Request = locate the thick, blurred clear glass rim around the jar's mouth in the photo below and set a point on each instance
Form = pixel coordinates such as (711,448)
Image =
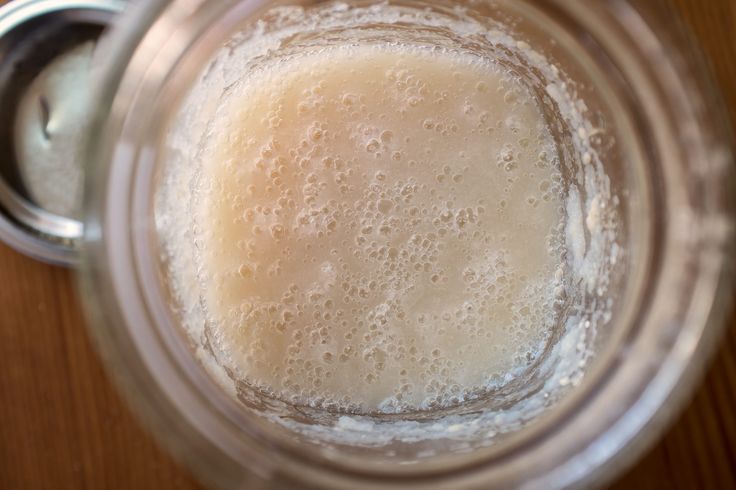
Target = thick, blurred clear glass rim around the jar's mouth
(666,315)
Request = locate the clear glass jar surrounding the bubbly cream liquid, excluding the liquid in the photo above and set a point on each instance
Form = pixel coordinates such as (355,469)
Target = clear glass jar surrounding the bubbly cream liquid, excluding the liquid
(630,102)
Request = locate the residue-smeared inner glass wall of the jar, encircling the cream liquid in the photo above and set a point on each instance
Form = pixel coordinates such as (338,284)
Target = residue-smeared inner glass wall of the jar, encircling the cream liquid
(607,218)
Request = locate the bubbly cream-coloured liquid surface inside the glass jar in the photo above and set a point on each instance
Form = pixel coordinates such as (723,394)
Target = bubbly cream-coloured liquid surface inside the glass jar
(379,229)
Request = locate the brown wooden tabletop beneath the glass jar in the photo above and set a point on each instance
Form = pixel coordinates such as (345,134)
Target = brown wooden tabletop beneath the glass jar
(63,426)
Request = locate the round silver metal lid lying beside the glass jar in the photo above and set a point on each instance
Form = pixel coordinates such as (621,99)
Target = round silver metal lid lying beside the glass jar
(33,34)
